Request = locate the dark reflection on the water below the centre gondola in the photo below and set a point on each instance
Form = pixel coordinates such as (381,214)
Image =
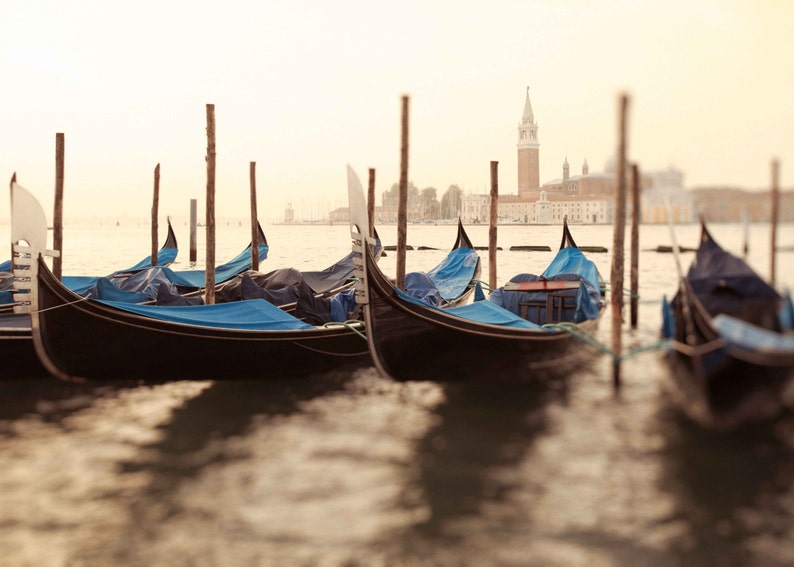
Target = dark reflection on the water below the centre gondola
(466,463)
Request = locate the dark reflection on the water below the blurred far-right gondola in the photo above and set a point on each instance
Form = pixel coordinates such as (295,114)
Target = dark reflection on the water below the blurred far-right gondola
(733,492)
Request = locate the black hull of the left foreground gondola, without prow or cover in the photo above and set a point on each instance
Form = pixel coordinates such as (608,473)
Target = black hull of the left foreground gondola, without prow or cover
(86,339)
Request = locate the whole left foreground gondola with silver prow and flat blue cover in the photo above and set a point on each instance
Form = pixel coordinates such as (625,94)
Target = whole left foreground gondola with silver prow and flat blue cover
(78,338)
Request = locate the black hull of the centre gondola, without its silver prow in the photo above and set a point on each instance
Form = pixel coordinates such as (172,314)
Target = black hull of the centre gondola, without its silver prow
(413,342)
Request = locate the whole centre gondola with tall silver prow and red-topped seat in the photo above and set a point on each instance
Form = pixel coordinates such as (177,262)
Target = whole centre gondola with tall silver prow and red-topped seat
(479,341)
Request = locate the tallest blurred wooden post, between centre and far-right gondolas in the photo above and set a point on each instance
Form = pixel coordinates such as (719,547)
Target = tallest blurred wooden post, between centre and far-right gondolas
(616,279)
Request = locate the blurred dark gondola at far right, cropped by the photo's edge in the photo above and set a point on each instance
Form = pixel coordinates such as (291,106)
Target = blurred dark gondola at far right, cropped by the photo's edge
(730,360)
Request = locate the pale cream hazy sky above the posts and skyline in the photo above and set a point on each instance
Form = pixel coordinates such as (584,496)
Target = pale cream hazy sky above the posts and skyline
(304,87)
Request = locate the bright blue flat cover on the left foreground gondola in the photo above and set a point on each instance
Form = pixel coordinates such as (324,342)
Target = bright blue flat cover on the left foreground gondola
(248,315)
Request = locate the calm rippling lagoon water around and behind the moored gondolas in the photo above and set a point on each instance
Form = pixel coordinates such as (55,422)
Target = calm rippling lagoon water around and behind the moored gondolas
(352,469)
